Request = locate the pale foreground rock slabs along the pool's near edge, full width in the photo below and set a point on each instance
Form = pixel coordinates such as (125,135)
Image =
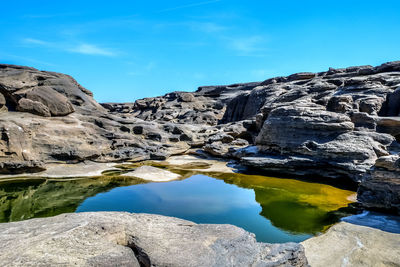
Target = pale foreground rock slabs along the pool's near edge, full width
(125,239)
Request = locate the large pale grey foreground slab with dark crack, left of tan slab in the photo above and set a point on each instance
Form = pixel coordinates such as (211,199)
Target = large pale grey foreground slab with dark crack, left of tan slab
(124,239)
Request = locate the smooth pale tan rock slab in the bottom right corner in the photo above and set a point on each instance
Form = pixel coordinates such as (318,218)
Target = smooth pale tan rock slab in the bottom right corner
(347,244)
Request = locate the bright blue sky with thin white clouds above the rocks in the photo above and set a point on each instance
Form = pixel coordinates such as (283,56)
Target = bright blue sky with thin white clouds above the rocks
(125,50)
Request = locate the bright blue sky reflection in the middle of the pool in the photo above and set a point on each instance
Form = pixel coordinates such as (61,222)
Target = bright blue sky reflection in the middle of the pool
(200,199)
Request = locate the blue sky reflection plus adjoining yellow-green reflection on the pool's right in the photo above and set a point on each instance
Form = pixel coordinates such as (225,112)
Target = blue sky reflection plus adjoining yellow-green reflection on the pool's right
(276,210)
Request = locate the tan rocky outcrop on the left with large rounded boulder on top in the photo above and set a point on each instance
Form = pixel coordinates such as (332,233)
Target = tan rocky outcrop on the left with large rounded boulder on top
(52,118)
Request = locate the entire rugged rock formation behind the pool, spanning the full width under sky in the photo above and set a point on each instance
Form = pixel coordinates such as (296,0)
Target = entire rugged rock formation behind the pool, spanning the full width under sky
(341,123)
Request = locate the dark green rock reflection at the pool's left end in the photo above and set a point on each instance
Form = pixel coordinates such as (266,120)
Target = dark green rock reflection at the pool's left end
(24,199)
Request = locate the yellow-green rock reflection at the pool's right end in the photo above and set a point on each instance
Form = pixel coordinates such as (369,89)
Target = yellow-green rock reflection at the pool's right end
(295,206)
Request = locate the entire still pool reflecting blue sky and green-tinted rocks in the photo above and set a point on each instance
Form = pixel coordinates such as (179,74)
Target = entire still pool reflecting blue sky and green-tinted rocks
(276,210)
